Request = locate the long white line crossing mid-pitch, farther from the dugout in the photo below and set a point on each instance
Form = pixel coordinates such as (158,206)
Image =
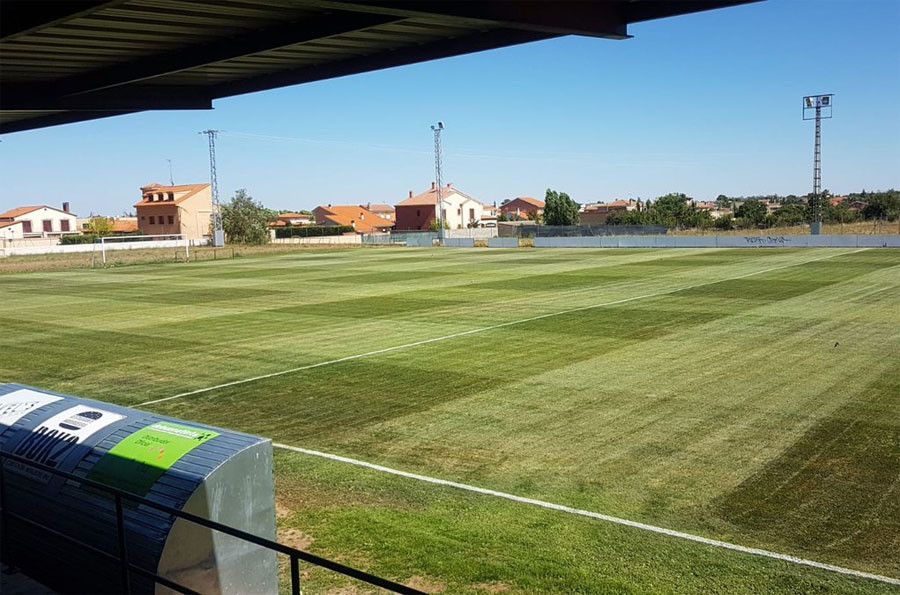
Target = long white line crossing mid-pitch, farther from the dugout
(479,330)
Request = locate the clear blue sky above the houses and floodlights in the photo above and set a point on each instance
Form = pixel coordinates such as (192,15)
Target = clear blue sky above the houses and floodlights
(704,104)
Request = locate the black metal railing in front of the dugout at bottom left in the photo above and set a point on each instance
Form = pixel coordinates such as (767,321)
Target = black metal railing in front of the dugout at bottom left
(121,556)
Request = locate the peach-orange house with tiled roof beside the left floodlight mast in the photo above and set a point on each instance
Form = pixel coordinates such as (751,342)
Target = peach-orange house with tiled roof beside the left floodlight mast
(185,209)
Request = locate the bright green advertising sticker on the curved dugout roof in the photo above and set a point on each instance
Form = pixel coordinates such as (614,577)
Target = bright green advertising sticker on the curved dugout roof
(135,463)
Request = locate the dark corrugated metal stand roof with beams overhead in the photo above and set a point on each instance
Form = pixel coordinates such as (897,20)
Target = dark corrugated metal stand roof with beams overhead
(66,61)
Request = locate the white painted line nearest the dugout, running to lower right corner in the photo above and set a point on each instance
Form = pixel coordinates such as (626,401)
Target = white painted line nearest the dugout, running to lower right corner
(598,516)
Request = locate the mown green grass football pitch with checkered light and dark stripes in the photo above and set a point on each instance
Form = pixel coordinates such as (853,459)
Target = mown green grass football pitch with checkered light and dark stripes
(751,396)
